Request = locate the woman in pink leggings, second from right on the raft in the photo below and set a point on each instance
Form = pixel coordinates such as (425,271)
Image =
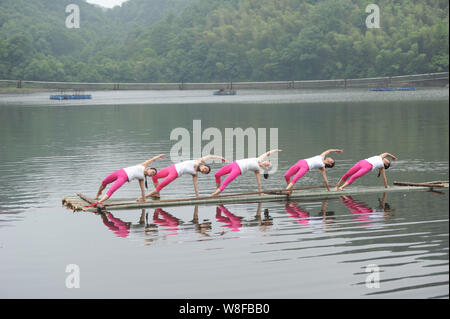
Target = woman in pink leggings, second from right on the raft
(302,166)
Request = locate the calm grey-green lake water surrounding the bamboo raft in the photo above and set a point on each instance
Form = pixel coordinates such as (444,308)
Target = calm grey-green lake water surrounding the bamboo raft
(308,249)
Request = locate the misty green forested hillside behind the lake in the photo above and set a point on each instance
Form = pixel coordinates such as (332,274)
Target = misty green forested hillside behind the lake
(221,40)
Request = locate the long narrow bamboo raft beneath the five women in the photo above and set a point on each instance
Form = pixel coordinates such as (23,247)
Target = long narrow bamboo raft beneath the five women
(78,203)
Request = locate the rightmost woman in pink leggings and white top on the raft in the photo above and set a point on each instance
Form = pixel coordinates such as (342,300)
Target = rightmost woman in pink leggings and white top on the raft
(364,166)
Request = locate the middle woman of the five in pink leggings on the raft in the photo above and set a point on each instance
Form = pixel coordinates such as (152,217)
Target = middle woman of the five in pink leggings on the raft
(240,167)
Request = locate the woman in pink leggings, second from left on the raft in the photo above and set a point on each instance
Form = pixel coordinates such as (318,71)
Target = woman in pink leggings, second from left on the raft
(174,171)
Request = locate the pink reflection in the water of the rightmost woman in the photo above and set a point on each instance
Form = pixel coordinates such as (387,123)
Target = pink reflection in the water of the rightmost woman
(365,212)
